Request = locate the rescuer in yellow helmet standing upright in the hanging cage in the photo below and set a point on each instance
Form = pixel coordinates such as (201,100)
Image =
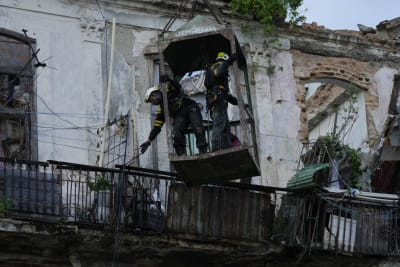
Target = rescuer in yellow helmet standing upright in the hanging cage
(218,96)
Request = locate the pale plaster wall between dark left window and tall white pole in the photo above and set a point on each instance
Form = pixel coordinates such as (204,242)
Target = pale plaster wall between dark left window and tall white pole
(72,81)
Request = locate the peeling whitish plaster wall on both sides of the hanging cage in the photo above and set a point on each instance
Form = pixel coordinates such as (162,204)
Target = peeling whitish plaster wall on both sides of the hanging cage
(73,34)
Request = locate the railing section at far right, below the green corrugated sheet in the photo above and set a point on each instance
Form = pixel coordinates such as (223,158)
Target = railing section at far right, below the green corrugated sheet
(343,225)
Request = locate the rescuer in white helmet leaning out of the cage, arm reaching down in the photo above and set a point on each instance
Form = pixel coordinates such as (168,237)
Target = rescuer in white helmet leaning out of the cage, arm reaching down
(183,111)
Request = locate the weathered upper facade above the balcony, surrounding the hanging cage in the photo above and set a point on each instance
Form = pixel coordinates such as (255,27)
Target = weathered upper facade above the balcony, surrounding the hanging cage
(71,81)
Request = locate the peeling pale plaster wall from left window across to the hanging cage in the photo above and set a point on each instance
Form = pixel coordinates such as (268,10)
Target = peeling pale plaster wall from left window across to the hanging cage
(71,37)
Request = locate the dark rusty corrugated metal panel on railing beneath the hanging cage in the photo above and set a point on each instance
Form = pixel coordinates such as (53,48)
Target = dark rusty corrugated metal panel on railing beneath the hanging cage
(220,212)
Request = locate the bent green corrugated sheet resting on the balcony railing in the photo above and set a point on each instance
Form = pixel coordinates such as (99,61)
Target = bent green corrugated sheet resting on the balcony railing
(304,178)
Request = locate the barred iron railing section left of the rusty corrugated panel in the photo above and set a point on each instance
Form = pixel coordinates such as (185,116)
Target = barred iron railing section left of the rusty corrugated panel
(134,197)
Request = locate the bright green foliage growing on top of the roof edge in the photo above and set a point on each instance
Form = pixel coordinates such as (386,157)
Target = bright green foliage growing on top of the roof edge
(270,13)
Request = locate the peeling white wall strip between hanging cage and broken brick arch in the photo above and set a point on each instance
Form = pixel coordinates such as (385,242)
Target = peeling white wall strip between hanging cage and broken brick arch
(276,112)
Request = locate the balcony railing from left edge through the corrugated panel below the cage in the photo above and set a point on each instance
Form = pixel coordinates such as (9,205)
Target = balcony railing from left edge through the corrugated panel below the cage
(134,198)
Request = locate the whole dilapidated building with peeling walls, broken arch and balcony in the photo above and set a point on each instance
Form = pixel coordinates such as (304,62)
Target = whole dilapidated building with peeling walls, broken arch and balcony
(76,191)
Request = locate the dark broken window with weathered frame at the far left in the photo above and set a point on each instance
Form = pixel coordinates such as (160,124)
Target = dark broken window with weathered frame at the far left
(18,102)
